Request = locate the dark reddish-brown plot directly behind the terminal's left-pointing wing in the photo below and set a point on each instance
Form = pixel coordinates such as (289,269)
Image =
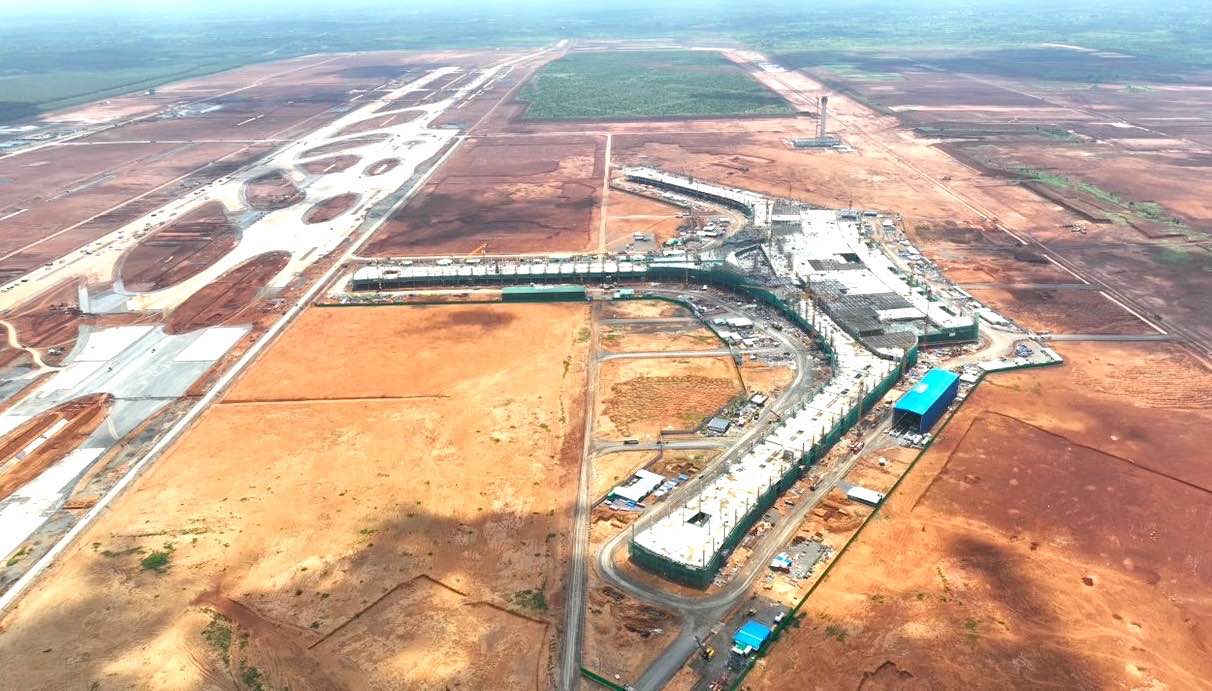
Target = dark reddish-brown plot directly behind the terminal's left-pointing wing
(507,195)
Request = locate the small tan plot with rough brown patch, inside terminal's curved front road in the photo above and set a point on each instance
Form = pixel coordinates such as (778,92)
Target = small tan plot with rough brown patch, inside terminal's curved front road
(642,398)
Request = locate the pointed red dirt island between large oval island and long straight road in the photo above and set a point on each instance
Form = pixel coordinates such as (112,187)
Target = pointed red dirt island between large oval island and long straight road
(227,299)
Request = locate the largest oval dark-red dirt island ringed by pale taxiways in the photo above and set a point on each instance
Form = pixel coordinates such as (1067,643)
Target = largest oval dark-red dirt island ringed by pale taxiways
(180,250)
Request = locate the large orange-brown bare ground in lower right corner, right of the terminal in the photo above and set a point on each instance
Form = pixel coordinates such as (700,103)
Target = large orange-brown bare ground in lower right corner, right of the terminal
(1028,542)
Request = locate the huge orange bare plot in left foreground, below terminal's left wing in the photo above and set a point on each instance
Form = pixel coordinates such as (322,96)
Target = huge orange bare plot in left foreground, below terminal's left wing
(367,521)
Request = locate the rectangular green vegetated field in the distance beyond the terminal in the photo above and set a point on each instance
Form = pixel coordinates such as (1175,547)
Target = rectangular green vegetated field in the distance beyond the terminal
(653,84)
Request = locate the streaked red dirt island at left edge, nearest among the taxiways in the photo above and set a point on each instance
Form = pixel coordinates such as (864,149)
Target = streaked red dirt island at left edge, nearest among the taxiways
(84,415)
